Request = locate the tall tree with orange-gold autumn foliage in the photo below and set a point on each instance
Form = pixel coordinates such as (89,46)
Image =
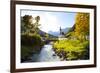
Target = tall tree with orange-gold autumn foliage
(82,25)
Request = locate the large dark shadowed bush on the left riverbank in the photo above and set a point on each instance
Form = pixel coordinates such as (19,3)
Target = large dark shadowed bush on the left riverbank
(30,44)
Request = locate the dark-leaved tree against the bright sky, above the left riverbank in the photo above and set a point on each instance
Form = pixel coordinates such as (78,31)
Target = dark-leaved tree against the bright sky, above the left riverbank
(28,25)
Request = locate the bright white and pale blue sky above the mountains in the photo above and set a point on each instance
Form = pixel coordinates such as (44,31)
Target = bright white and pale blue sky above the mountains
(52,21)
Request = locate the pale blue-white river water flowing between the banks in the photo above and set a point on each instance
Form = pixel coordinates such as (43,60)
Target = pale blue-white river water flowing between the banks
(46,54)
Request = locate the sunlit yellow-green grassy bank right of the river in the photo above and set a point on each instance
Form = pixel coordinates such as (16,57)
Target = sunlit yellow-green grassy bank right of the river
(72,49)
